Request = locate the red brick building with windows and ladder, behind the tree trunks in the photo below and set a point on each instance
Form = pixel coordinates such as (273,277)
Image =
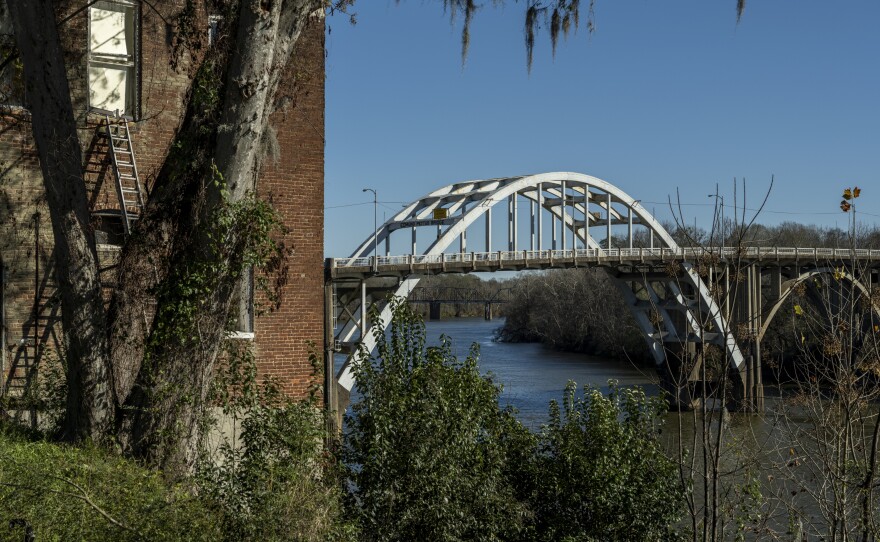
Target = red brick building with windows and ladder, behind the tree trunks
(118,60)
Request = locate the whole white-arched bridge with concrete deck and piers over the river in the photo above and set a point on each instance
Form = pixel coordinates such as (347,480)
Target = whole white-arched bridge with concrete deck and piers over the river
(680,296)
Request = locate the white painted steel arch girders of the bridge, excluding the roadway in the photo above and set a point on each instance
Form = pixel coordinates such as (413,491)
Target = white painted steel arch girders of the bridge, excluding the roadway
(563,195)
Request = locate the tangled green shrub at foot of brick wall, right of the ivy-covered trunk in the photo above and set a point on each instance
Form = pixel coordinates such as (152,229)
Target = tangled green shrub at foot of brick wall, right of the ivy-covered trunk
(268,477)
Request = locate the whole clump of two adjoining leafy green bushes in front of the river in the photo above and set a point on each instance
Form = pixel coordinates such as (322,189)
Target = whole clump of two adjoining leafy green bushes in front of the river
(433,457)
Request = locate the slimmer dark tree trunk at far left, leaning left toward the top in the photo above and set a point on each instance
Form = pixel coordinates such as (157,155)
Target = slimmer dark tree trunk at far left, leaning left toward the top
(89,395)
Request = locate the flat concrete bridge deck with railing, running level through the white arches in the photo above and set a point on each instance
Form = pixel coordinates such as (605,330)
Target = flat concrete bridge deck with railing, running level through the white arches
(518,260)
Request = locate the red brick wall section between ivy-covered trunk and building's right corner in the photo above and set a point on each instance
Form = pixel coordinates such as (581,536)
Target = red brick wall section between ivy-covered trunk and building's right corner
(295,186)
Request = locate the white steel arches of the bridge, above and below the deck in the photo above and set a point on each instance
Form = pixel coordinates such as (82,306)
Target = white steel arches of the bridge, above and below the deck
(590,210)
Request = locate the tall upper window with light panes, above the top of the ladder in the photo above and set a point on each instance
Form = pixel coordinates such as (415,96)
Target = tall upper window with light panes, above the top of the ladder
(99,59)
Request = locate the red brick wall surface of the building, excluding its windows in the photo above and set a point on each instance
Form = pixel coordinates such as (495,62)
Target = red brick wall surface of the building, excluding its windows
(294,183)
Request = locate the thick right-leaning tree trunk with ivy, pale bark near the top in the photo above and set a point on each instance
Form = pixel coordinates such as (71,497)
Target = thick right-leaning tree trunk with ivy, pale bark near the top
(171,388)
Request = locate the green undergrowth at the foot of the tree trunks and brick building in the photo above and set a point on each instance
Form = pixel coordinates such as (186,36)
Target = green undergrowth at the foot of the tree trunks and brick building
(269,478)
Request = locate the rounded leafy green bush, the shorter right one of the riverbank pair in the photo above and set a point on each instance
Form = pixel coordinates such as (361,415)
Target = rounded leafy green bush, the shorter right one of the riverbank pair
(601,472)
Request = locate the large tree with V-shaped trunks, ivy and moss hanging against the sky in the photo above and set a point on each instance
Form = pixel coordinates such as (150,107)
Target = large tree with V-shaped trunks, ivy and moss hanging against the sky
(136,381)
